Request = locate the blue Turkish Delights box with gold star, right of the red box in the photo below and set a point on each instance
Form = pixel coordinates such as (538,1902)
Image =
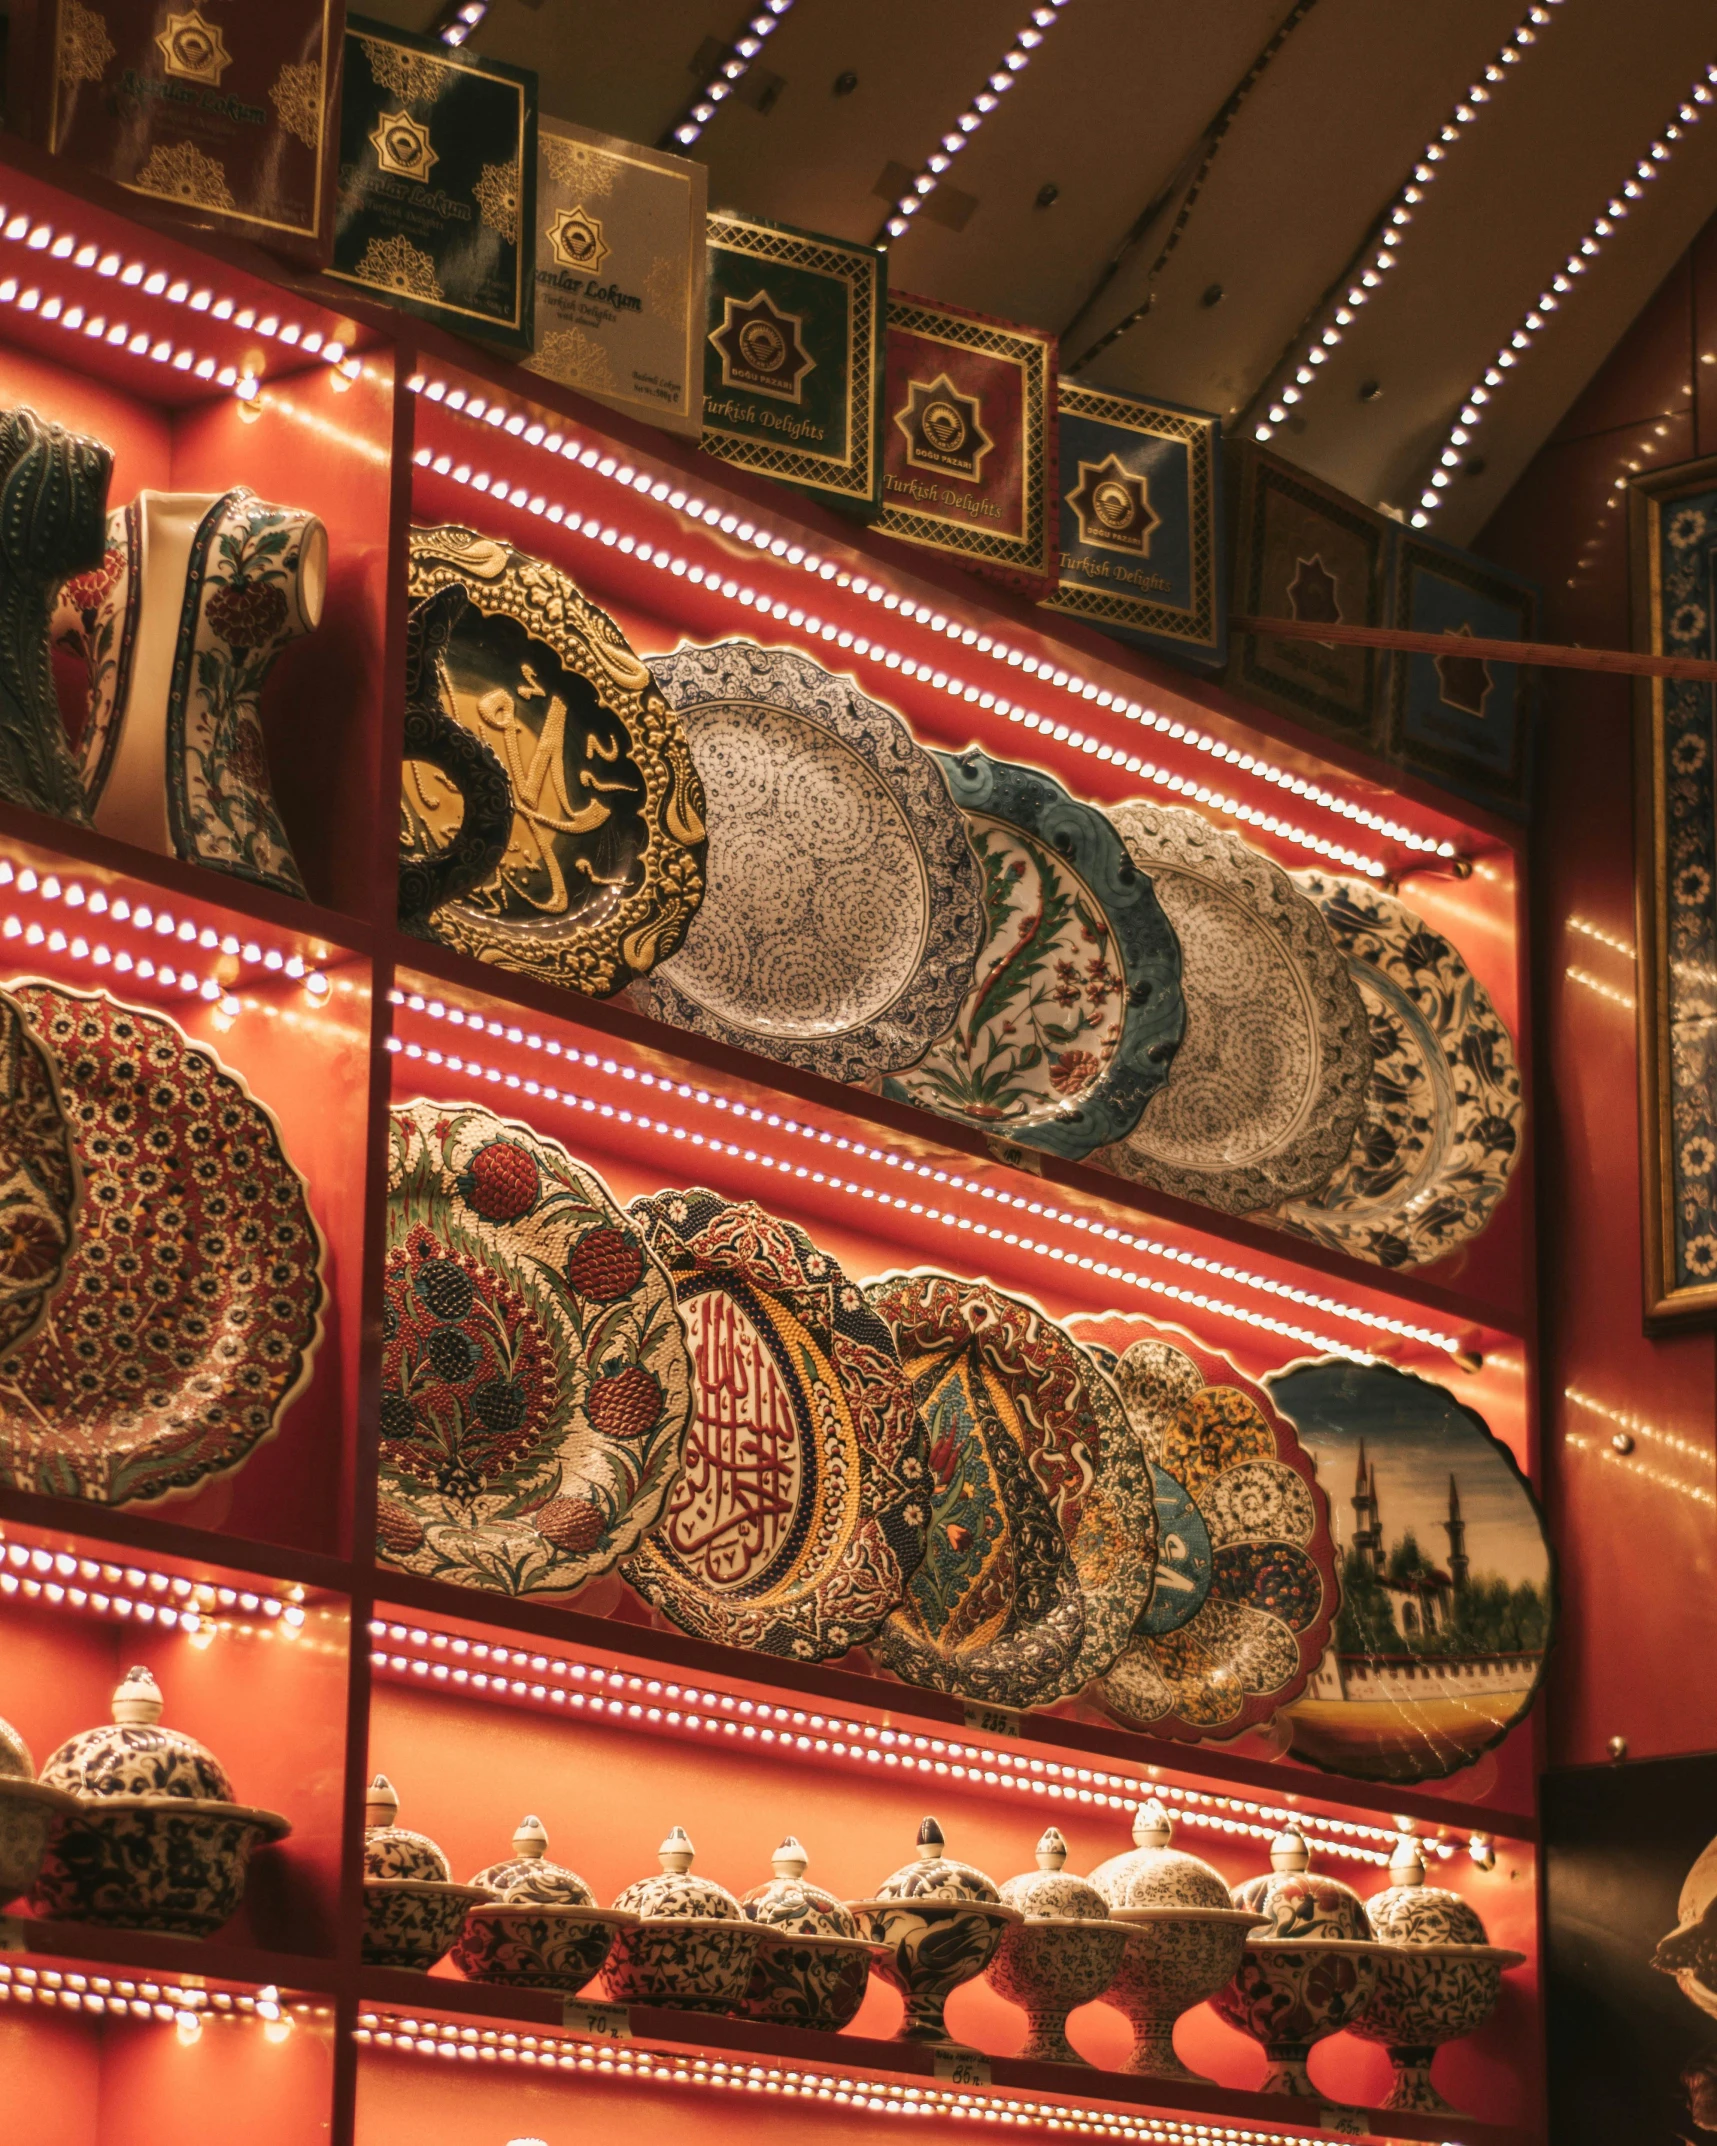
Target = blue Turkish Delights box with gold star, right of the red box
(1141,523)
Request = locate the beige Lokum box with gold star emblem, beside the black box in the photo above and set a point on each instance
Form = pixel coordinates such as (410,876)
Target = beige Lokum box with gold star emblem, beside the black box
(621,276)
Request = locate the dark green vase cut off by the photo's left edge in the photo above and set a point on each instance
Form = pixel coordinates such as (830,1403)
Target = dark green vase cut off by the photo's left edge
(53,505)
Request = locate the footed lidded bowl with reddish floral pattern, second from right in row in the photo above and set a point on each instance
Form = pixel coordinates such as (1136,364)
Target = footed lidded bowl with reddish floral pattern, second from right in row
(1306,1973)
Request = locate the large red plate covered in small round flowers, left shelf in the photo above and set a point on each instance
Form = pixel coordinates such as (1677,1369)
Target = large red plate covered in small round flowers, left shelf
(190,1308)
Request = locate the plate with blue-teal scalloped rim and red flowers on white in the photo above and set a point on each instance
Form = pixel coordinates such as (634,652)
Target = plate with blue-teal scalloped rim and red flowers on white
(1076,1008)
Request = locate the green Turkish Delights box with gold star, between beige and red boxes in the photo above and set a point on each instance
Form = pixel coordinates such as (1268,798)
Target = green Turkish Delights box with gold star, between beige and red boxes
(793,357)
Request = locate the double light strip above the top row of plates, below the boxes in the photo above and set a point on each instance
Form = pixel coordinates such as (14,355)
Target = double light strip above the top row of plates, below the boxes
(791,553)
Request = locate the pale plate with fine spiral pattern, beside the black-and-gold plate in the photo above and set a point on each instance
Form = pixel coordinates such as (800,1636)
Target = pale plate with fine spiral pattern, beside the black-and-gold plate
(845,911)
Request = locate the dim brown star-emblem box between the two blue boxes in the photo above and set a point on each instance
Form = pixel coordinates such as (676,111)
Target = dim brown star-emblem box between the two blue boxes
(1306,550)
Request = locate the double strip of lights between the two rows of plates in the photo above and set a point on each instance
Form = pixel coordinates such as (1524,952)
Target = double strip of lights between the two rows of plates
(982,1190)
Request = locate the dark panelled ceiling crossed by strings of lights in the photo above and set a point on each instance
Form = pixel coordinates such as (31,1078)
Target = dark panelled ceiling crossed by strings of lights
(1111,117)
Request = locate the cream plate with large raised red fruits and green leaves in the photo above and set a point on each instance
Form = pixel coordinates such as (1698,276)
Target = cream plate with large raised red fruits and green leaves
(535,1379)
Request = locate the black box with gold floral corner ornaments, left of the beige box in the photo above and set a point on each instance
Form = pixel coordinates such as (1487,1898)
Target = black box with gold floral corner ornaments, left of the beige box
(439,183)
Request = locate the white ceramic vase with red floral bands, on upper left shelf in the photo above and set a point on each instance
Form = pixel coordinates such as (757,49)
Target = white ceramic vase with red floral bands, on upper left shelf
(177,634)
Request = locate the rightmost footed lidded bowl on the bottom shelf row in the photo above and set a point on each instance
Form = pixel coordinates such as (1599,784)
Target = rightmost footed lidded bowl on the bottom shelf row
(1439,1978)
